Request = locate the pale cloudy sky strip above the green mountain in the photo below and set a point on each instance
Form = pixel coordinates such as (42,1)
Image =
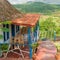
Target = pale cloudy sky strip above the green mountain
(24,1)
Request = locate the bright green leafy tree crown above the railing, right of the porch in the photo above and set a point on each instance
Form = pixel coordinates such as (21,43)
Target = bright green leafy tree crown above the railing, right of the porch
(47,25)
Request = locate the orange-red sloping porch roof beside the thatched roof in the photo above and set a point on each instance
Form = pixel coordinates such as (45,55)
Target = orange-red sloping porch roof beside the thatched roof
(27,20)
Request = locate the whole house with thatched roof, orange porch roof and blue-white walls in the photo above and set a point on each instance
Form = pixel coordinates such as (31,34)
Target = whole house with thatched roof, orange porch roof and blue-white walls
(13,22)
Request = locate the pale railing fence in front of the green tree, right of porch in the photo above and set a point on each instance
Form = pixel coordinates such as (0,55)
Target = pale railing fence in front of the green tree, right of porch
(47,35)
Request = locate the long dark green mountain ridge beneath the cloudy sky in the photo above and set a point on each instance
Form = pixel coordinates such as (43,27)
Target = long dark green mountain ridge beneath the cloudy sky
(38,7)
